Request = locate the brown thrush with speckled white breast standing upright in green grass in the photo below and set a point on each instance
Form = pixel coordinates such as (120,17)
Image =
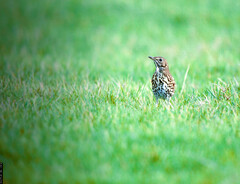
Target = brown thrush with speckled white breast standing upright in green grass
(163,83)
